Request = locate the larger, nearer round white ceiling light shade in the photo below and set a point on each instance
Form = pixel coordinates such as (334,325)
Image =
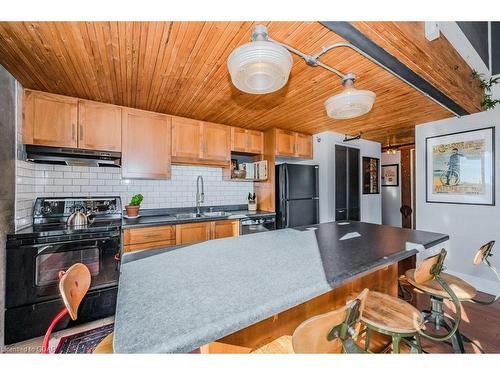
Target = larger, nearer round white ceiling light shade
(259,67)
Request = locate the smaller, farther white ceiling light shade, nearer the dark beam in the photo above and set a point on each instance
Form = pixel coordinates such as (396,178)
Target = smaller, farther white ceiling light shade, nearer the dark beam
(350,102)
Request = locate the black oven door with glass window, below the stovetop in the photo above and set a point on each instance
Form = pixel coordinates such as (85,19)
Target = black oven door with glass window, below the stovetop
(33,270)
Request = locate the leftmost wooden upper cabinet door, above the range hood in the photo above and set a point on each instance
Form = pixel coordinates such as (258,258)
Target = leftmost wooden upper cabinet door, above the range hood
(49,120)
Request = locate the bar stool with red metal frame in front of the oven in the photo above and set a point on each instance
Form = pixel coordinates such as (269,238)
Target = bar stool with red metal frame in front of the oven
(73,285)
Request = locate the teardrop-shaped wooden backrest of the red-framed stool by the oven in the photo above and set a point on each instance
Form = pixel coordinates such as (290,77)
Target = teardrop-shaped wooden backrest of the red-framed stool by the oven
(73,286)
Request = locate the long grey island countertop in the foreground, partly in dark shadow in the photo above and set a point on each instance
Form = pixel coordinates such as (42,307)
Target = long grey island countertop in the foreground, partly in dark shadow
(174,301)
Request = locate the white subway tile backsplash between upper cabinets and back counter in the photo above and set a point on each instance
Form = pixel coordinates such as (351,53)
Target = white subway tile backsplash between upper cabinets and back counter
(40,180)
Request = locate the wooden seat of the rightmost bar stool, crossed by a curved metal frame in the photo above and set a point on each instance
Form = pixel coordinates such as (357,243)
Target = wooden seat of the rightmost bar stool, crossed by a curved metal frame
(463,290)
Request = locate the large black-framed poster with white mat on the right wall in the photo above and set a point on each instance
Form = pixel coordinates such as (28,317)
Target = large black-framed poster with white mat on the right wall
(460,167)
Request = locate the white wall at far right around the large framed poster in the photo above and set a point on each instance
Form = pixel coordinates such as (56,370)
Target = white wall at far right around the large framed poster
(468,226)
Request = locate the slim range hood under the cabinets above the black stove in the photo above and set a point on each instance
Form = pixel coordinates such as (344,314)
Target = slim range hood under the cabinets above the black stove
(72,156)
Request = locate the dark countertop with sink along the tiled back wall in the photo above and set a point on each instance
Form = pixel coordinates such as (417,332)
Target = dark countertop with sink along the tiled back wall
(165,216)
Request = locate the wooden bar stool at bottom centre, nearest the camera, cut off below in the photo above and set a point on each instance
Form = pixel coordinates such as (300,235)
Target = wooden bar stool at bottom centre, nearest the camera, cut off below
(332,332)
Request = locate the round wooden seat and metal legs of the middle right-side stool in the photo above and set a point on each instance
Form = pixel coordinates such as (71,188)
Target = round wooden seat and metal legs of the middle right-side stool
(393,317)
